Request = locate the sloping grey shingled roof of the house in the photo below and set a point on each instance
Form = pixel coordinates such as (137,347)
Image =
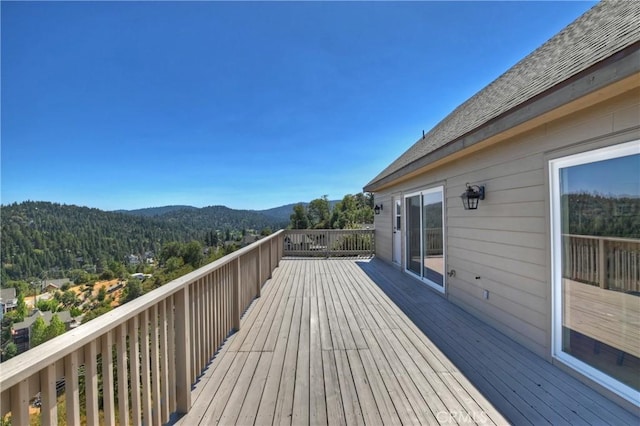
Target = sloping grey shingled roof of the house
(606,29)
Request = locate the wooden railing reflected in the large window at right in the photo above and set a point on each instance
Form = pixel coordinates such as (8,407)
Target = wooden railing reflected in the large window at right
(610,263)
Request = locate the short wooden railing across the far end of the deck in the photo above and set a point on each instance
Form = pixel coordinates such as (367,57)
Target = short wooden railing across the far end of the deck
(329,242)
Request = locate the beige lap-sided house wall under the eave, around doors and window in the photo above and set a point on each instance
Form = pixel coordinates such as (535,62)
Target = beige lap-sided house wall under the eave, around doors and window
(506,241)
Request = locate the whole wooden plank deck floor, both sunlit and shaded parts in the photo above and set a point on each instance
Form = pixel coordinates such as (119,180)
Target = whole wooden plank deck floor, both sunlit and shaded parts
(343,342)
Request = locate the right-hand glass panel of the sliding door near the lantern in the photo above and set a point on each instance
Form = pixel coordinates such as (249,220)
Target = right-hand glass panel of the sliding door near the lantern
(432,246)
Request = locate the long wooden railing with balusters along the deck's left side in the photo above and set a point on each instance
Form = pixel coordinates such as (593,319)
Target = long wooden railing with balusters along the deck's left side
(139,361)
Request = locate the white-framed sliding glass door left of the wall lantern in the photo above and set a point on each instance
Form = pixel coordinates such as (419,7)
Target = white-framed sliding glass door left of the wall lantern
(425,236)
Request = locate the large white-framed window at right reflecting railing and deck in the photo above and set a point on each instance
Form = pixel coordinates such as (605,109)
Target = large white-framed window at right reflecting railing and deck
(596,264)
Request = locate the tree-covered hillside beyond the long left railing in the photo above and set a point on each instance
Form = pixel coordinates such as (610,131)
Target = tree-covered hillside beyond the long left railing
(40,237)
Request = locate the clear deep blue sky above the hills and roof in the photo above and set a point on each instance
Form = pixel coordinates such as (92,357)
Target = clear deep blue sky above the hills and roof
(124,105)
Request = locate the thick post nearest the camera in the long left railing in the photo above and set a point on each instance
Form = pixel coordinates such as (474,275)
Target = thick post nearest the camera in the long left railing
(183,348)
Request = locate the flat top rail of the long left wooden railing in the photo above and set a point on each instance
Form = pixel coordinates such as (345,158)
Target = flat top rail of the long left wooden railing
(22,366)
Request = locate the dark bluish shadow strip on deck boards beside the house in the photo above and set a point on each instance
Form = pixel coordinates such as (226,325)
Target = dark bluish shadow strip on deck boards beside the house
(523,387)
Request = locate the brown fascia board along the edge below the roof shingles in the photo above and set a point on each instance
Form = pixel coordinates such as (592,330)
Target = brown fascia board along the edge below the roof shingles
(620,66)
